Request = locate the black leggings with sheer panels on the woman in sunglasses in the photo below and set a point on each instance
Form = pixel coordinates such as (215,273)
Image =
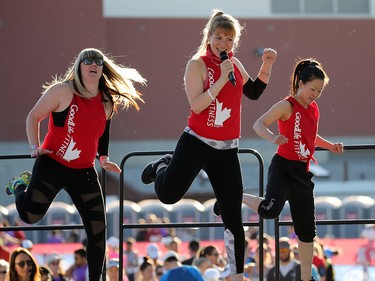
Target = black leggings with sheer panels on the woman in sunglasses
(48,178)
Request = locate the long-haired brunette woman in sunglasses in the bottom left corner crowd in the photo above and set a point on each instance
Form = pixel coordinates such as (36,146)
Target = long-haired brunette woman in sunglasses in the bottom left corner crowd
(23,266)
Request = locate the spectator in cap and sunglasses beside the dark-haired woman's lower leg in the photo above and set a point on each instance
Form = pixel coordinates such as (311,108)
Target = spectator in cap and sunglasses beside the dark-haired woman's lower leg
(290,269)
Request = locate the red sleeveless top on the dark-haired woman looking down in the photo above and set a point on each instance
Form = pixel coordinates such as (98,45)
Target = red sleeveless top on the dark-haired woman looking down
(301,130)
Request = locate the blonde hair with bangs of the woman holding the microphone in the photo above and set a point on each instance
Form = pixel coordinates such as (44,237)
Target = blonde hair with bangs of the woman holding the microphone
(220,20)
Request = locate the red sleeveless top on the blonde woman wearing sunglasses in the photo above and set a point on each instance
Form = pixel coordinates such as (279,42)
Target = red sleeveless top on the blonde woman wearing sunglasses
(75,144)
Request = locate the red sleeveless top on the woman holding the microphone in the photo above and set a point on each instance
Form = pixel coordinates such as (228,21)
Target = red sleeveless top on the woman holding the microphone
(221,120)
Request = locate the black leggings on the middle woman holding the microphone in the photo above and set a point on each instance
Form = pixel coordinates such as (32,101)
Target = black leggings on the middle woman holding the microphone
(224,172)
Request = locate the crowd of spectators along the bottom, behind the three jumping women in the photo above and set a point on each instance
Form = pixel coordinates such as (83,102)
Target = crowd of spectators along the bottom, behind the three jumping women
(165,261)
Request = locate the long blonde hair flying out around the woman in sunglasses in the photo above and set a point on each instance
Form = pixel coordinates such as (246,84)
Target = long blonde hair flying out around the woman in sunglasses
(116,82)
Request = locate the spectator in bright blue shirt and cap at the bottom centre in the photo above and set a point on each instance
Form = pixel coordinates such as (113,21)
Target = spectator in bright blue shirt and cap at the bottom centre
(177,271)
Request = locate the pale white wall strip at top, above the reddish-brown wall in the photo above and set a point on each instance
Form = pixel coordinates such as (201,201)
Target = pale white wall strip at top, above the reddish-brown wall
(237,8)
